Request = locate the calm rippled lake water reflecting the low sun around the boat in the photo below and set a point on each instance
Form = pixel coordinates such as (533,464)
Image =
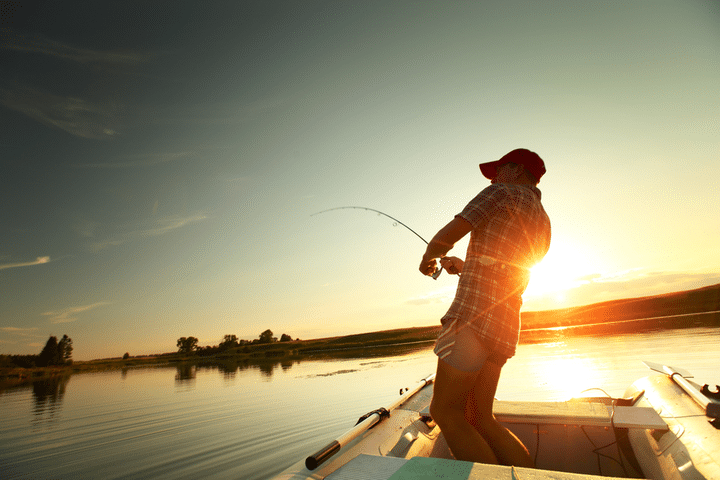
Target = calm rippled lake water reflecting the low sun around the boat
(250,422)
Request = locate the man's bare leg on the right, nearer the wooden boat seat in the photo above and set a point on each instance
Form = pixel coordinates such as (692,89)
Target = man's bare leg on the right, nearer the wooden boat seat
(507,447)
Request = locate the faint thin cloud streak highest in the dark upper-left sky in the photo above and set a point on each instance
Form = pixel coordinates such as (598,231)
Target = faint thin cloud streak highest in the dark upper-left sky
(37,44)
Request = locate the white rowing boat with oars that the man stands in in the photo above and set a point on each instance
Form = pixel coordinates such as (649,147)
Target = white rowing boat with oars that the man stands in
(664,427)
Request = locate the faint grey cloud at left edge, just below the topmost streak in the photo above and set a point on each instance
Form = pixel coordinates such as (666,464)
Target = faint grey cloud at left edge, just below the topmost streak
(74,115)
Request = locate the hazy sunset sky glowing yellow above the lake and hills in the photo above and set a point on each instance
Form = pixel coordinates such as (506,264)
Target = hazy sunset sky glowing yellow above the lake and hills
(162,161)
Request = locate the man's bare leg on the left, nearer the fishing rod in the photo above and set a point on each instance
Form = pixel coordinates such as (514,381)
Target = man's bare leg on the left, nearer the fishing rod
(453,390)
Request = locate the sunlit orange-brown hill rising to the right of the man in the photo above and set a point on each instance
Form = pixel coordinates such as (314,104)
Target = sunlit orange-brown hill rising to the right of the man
(706,299)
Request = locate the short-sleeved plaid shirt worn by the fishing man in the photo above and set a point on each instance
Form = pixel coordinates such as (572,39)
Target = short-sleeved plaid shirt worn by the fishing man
(511,233)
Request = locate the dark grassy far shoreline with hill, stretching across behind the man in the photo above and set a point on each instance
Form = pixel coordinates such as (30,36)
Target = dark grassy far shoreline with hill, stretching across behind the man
(685,309)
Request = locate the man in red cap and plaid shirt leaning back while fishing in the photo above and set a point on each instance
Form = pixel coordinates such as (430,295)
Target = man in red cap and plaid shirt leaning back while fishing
(509,233)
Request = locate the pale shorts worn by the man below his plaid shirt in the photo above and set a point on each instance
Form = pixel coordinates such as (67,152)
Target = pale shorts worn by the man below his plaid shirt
(462,348)
